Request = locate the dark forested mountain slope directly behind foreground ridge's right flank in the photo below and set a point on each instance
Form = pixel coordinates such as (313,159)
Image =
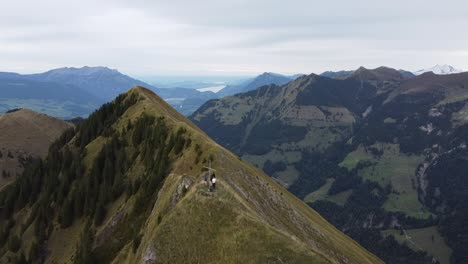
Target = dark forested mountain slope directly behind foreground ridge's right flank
(308,115)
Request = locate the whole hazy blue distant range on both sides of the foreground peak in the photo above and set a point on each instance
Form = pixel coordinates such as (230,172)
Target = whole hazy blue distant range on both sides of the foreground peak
(76,92)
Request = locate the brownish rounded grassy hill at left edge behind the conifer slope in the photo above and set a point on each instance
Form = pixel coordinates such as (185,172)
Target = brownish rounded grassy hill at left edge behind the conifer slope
(24,135)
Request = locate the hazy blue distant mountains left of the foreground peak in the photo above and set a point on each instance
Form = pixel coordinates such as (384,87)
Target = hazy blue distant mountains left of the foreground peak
(65,92)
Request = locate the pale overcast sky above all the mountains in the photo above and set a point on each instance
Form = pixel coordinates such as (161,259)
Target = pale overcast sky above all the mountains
(227,37)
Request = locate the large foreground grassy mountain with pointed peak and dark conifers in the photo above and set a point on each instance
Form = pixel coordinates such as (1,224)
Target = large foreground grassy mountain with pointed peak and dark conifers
(126,186)
